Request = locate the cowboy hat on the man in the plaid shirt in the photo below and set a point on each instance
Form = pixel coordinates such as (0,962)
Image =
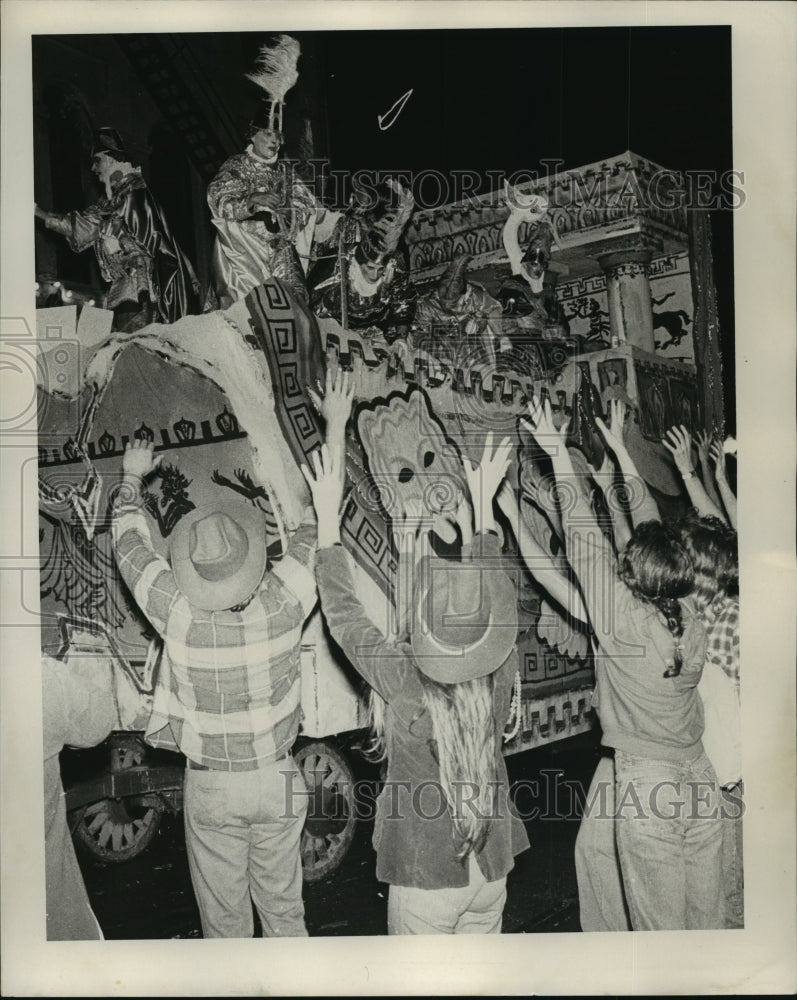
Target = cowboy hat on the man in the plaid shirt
(218,554)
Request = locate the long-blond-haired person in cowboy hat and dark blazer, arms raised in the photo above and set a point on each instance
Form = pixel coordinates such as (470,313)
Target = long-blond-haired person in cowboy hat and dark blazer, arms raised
(445,834)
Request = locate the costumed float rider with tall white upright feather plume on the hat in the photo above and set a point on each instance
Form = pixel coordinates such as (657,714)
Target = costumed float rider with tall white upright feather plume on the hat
(265,215)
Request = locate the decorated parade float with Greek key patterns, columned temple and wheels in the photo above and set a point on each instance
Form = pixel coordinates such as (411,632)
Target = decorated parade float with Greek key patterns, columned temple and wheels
(627,312)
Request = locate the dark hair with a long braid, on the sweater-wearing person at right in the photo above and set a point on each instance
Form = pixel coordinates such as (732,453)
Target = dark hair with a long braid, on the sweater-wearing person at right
(657,568)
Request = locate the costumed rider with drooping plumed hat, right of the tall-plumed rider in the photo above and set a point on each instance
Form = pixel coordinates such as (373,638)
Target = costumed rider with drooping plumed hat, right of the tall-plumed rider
(363,282)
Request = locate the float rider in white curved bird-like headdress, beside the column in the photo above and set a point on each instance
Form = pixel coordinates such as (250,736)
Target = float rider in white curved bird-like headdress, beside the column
(528,298)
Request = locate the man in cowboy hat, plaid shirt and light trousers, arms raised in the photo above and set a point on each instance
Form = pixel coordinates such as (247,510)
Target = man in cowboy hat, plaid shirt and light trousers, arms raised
(228,691)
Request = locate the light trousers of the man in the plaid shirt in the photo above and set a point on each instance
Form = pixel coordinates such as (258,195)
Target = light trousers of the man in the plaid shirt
(242,832)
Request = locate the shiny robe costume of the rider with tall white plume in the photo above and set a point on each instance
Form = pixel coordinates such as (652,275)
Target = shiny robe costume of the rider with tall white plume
(252,246)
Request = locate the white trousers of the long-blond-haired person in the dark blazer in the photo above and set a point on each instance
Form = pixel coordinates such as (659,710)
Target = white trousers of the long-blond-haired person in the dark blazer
(476,908)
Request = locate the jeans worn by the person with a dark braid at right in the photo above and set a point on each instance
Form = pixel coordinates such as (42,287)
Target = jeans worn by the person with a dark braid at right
(669,840)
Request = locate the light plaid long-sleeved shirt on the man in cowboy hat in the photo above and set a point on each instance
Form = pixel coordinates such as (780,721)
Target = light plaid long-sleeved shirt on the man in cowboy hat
(228,690)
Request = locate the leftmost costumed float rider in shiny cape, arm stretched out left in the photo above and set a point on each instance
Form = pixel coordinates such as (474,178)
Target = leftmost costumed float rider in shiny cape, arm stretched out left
(151,280)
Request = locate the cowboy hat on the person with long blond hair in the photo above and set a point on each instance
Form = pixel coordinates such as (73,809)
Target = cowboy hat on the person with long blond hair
(464,619)
